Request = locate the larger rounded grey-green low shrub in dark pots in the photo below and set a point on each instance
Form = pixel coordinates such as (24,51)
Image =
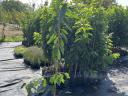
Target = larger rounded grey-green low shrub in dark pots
(34,57)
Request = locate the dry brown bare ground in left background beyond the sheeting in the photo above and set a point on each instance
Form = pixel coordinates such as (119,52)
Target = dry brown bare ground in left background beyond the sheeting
(11,30)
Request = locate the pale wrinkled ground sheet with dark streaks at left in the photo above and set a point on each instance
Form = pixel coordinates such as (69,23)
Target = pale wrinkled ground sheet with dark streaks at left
(13,73)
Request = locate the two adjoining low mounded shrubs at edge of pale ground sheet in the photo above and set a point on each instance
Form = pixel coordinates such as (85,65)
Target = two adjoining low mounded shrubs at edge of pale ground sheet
(33,56)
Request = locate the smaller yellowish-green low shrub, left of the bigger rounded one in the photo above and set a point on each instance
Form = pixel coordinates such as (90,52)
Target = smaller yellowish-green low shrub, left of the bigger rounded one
(19,51)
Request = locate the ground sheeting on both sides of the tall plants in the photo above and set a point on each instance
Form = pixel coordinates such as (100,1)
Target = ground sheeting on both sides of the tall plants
(13,73)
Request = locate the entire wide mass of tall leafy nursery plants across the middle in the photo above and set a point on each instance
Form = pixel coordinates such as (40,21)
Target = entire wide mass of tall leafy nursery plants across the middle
(83,41)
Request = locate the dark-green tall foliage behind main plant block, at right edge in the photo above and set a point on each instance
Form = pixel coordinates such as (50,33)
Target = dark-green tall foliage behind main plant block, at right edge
(118,25)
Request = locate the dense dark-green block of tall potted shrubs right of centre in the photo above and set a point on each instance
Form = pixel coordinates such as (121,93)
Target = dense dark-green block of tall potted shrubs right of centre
(86,49)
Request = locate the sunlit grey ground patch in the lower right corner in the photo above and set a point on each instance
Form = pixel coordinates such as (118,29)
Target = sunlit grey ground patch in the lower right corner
(119,76)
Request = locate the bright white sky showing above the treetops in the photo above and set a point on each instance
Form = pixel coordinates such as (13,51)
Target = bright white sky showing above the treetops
(121,2)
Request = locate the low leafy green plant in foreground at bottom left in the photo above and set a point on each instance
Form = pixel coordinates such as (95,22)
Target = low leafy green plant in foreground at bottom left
(43,86)
